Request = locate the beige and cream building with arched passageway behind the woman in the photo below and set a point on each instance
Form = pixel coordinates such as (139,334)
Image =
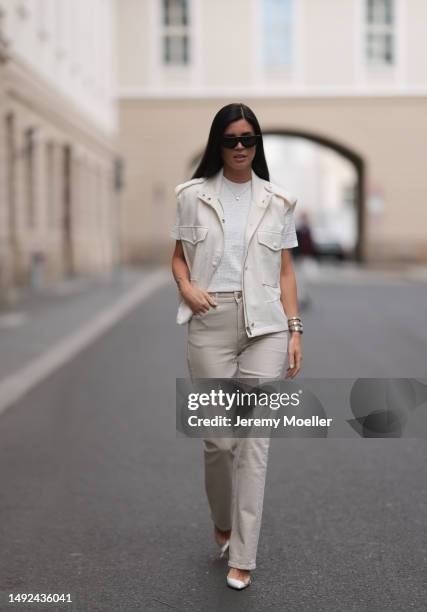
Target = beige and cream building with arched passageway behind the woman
(347,74)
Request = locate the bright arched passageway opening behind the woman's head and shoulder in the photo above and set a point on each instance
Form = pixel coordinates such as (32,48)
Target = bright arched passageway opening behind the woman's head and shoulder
(328,179)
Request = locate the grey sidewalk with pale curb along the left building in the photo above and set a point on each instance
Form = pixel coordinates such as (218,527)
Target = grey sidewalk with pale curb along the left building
(49,327)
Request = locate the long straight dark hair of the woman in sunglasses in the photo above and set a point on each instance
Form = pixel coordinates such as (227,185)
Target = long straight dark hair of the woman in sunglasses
(212,161)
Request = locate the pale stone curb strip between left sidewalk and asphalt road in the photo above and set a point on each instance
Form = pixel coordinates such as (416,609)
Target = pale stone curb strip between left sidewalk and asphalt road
(15,386)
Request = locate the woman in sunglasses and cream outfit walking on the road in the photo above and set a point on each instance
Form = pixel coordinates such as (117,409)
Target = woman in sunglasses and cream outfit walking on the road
(238,297)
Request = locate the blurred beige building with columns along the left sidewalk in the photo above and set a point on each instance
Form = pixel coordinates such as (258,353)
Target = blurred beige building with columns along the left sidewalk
(58,142)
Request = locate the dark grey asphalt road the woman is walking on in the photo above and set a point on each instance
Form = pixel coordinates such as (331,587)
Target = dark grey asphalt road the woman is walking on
(100,499)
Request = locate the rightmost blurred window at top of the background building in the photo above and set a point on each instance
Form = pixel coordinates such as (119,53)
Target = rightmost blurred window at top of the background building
(380,34)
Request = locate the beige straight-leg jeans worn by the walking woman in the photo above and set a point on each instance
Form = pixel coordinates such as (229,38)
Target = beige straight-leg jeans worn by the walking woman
(235,468)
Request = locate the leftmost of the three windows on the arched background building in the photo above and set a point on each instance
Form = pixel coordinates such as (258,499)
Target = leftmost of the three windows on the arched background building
(176,32)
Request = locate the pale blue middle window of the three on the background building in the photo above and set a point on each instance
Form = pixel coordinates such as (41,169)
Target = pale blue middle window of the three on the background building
(277,18)
